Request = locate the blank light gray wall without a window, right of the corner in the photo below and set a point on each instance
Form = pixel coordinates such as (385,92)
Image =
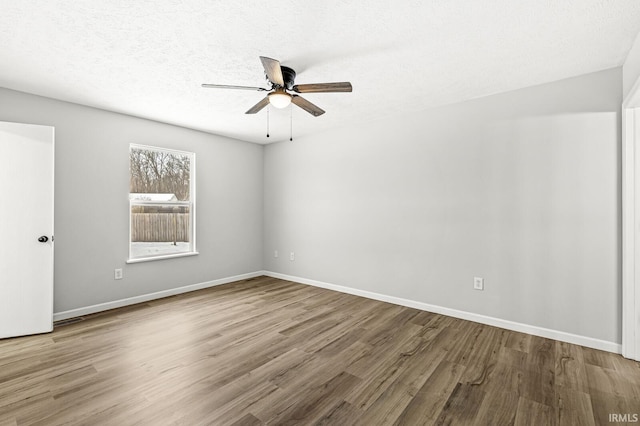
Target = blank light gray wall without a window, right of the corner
(521,188)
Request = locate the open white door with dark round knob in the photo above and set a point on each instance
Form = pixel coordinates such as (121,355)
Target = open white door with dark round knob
(26,229)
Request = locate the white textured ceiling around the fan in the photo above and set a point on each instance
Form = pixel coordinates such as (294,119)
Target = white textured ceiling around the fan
(148,57)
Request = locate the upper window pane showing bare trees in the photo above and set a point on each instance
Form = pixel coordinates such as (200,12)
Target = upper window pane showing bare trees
(164,173)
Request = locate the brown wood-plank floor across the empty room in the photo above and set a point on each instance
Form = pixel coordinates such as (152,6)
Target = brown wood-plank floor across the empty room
(267,351)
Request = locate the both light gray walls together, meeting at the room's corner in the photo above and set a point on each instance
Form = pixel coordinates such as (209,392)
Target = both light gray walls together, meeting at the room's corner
(520,188)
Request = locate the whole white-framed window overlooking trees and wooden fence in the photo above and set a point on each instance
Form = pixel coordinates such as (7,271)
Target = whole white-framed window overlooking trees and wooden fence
(162,203)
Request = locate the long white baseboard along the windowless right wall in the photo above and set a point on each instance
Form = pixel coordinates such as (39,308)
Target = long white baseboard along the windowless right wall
(483,319)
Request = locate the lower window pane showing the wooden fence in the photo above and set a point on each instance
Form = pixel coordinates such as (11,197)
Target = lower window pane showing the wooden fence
(160,230)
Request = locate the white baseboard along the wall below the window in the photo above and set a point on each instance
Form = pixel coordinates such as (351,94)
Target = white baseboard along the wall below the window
(78,312)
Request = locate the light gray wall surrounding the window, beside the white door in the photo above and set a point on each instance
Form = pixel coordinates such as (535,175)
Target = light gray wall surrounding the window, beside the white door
(91,202)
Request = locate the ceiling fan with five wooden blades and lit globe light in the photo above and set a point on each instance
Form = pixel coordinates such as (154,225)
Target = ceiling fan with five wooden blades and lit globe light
(282,81)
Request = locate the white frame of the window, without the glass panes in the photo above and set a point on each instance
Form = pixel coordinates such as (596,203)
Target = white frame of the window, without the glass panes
(191,204)
